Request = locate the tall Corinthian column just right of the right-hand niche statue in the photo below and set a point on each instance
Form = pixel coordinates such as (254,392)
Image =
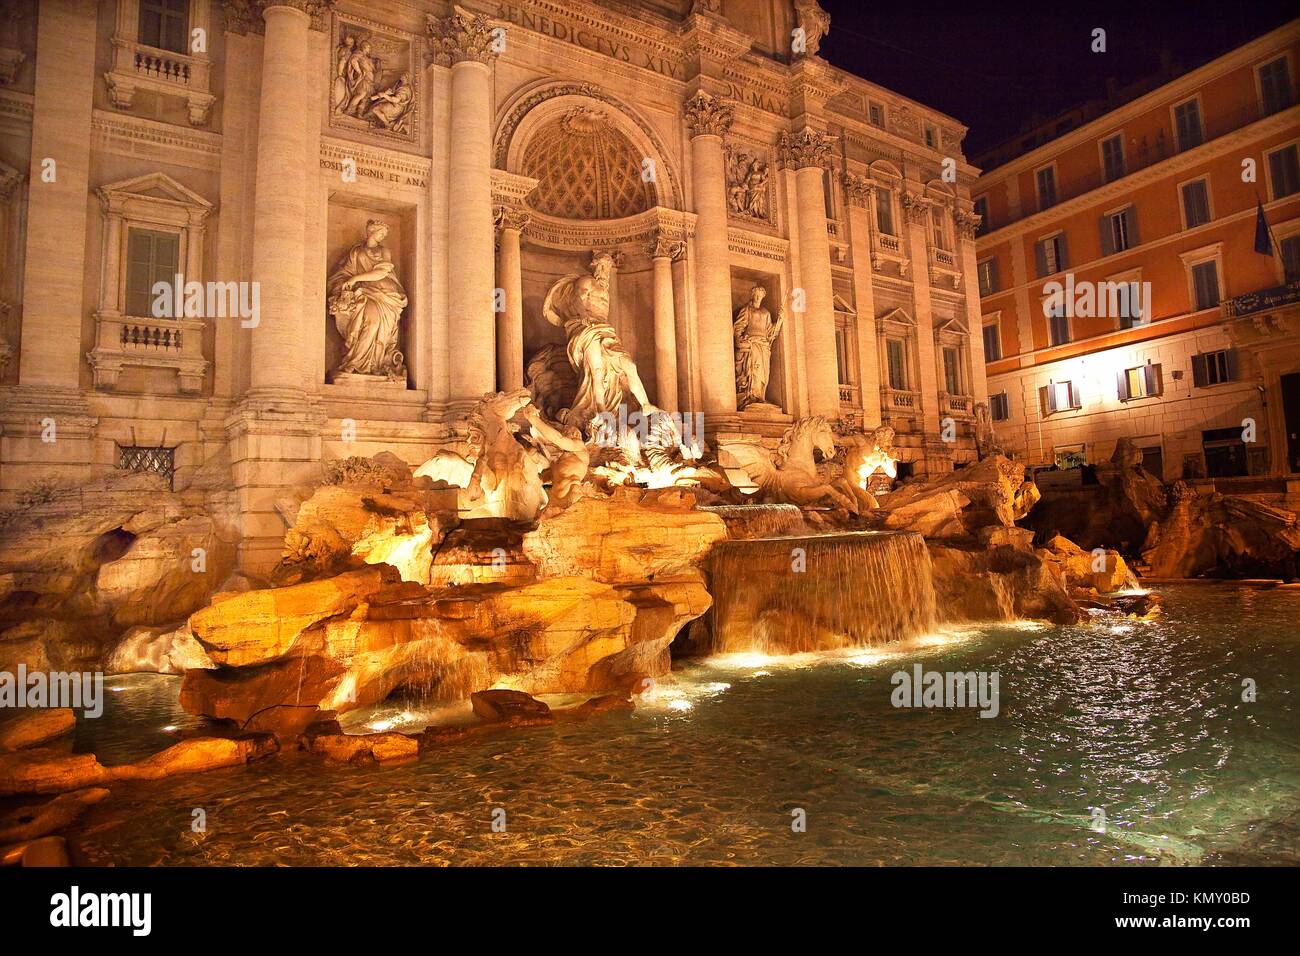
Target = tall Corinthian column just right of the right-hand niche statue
(809,154)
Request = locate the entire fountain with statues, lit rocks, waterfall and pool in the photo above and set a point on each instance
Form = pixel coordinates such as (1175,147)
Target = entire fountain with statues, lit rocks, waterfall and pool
(640,646)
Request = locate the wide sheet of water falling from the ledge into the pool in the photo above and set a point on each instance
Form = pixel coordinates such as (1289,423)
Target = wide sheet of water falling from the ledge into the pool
(855,590)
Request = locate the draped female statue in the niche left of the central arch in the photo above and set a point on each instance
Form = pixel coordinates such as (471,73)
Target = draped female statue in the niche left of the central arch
(367,301)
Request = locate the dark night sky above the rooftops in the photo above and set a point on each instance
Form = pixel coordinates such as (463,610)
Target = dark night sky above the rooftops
(994,66)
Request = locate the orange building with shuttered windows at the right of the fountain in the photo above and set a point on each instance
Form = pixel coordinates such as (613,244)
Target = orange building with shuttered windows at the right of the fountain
(1123,292)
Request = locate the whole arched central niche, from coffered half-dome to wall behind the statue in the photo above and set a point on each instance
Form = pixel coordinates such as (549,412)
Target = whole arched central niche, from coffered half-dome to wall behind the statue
(604,183)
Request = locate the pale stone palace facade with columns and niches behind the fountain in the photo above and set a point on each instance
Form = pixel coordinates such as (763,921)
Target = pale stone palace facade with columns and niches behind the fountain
(266,153)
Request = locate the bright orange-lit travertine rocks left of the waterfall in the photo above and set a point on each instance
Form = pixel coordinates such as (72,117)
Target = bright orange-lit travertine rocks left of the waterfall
(584,602)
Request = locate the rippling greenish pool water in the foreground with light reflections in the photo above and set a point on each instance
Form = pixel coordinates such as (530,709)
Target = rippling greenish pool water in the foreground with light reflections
(1145,721)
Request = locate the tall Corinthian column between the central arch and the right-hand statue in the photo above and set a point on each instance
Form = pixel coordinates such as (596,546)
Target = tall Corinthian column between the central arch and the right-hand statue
(709,119)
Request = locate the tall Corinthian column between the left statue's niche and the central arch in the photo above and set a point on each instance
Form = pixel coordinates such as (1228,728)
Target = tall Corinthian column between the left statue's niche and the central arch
(467,42)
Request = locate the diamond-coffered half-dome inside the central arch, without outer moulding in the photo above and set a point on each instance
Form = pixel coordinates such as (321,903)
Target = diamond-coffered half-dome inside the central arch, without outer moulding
(586,168)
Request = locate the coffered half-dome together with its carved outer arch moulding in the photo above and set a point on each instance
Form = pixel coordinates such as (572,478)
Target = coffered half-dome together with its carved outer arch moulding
(614,144)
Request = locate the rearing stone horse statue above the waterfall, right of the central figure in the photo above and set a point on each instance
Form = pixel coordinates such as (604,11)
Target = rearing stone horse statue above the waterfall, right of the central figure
(791,475)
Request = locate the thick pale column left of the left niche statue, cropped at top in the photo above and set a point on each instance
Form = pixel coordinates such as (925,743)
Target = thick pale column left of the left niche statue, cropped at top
(279,233)
